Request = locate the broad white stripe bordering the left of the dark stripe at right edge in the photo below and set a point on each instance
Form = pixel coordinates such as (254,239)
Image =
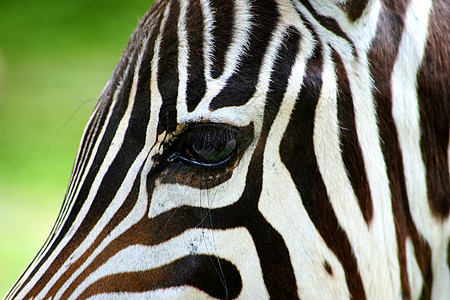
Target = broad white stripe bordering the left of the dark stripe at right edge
(405,110)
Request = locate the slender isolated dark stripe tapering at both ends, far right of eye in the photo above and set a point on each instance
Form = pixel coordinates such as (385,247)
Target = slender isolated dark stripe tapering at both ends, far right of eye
(351,149)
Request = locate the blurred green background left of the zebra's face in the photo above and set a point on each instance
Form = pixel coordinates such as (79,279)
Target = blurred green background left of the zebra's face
(55,58)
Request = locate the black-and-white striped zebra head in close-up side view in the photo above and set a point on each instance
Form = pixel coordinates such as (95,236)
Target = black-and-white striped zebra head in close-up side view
(263,149)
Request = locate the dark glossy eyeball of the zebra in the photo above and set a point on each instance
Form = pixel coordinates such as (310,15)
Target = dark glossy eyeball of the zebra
(208,145)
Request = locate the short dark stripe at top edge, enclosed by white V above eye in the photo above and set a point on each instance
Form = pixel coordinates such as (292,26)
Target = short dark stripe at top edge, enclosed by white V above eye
(222,33)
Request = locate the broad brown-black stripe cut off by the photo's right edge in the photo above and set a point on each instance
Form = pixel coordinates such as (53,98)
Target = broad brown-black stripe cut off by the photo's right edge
(434,104)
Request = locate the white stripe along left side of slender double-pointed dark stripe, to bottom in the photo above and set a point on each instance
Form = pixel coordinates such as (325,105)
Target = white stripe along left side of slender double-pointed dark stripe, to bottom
(376,256)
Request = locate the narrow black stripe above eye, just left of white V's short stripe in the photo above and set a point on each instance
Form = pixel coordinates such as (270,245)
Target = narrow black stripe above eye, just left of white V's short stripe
(196,85)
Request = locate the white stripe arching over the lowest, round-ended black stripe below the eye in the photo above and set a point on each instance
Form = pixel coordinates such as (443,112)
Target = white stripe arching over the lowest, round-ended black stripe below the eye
(219,243)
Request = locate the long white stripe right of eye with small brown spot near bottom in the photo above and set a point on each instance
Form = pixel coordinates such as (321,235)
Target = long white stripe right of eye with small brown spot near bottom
(283,209)
